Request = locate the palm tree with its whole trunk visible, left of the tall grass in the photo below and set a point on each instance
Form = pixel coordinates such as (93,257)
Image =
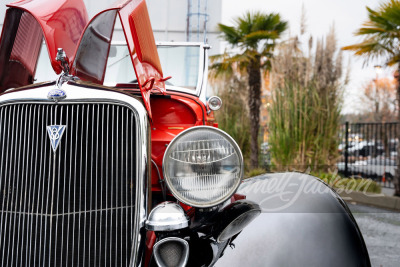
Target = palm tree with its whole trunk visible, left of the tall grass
(253,38)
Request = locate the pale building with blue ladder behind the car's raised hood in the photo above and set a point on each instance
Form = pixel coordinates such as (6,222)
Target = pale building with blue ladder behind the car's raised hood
(172,20)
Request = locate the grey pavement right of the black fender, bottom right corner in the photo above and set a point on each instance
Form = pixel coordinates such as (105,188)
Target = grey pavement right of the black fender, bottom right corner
(381,231)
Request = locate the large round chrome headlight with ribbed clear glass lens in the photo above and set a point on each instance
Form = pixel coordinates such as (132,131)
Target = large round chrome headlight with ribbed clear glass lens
(203,166)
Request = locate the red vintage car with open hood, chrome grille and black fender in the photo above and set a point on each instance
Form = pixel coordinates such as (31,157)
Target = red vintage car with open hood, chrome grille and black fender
(119,162)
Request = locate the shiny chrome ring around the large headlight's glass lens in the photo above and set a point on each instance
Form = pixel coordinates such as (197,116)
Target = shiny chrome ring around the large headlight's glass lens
(212,202)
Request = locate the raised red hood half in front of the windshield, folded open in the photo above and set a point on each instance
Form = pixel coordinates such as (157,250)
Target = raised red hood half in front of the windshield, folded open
(92,52)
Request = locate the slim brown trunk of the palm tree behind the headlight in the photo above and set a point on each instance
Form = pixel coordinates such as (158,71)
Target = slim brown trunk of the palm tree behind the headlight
(254,83)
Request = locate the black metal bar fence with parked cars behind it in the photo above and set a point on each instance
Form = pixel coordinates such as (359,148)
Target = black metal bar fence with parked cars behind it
(369,150)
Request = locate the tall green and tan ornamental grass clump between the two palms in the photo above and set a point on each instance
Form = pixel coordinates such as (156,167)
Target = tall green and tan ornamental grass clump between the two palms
(306,97)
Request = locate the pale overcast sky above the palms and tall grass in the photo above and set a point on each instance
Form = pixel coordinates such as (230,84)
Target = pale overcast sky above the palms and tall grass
(347,15)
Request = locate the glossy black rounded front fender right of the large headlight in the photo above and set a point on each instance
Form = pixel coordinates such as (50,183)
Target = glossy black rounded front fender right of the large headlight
(303,223)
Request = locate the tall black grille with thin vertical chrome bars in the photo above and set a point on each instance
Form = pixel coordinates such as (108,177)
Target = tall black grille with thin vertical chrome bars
(74,207)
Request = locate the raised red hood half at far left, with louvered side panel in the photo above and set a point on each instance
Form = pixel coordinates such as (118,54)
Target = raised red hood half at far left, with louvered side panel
(60,22)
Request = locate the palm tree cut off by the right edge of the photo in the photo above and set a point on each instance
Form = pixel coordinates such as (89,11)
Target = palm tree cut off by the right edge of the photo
(381,34)
